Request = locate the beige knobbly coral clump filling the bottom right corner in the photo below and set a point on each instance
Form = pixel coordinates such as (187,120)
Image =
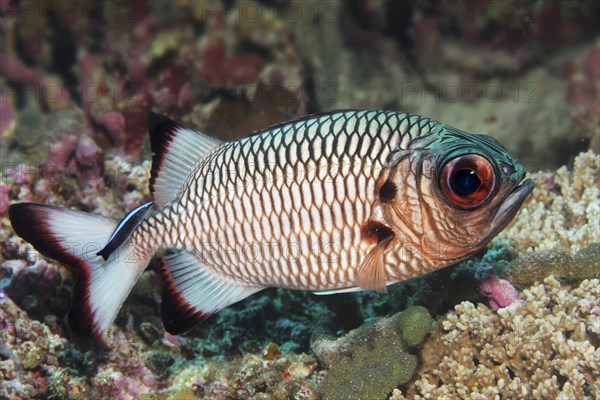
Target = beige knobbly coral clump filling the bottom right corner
(544,347)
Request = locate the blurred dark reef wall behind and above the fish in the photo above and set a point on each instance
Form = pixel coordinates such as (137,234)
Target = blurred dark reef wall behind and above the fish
(189,59)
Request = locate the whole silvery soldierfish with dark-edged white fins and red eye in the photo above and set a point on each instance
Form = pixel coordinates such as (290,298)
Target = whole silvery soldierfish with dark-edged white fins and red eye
(335,202)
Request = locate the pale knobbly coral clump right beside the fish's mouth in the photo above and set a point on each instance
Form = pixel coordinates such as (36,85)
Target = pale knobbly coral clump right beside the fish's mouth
(564,210)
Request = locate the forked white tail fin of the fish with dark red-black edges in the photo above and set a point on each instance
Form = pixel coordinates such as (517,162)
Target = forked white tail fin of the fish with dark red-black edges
(74,238)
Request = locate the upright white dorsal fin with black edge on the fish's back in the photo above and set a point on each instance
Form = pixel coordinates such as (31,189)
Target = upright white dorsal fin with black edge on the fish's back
(176,151)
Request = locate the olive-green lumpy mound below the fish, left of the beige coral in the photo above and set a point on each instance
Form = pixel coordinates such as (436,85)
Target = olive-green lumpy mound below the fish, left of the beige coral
(369,362)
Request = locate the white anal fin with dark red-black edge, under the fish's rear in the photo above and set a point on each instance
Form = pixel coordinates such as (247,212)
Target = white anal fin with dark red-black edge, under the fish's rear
(192,292)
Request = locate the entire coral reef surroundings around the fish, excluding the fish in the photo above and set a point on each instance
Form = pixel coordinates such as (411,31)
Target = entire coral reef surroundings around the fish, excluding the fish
(518,320)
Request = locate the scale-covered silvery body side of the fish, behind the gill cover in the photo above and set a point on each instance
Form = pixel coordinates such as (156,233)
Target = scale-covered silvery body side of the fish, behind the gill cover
(284,207)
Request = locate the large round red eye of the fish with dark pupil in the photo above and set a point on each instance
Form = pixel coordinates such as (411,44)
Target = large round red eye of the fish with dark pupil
(467,181)
